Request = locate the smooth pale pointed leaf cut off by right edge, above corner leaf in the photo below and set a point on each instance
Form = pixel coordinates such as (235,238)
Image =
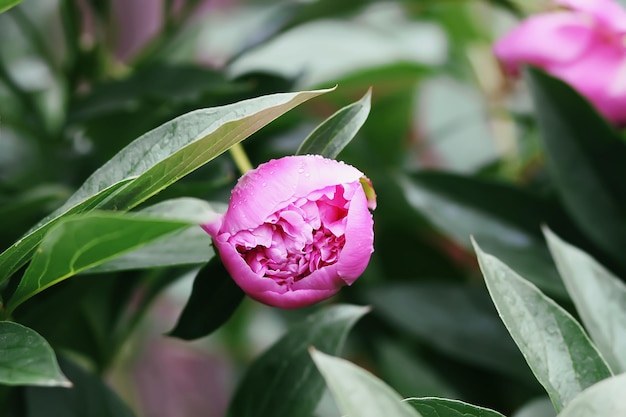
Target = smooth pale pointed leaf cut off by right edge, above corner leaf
(599,296)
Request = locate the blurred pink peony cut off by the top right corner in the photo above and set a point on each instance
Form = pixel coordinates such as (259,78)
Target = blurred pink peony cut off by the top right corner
(582,44)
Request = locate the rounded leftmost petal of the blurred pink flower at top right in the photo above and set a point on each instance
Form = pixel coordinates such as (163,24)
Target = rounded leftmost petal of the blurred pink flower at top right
(545,39)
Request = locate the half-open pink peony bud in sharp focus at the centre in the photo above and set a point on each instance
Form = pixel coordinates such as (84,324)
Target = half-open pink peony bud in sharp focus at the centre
(296,230)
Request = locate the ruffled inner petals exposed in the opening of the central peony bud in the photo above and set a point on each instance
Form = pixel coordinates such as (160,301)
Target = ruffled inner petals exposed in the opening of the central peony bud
(295,241)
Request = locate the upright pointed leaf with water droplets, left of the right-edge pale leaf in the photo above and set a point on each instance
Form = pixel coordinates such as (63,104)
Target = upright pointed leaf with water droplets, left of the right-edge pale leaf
(555,346)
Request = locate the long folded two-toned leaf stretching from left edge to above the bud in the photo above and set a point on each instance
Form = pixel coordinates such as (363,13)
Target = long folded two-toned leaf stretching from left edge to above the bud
(158,159)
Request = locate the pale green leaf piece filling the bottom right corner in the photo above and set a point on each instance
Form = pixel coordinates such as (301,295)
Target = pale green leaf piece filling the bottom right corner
(606,399)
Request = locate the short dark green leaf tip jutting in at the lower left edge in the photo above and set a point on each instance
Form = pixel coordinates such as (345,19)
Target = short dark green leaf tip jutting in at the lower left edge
(27,359)
